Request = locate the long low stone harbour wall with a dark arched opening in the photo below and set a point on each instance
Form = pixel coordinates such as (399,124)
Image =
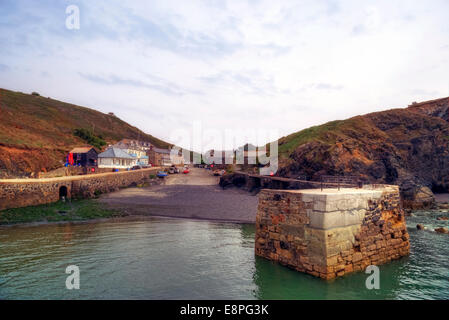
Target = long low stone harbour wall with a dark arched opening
(15,193)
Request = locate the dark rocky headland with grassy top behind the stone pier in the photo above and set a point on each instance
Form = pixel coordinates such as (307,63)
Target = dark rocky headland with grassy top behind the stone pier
(408,147)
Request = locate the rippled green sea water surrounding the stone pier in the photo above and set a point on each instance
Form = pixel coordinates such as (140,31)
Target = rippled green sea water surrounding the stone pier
(161,258)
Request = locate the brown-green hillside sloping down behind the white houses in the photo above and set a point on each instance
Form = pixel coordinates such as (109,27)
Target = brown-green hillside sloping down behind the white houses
(36,132)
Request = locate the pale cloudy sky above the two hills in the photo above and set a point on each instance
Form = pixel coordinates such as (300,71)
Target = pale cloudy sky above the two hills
(285,65)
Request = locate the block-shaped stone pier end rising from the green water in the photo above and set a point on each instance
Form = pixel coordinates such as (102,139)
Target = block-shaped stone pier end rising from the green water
(332,232)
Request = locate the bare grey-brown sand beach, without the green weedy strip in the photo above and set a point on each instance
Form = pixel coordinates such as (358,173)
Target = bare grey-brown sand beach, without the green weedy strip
(195,196)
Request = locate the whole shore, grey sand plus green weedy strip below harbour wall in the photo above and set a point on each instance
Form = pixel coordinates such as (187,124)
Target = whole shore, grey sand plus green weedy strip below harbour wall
(195,197)
